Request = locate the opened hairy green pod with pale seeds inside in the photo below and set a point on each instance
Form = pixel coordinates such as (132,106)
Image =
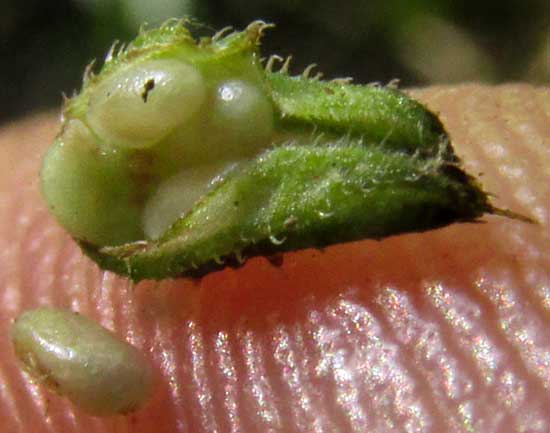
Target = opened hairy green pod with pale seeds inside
(181,156)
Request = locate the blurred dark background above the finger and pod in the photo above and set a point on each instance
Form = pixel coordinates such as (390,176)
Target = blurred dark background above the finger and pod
(45,45)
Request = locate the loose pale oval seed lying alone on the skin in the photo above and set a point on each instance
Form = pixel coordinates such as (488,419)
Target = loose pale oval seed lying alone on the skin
(79,359)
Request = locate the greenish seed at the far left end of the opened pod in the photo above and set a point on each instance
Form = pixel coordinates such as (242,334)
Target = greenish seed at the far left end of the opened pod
(95,197)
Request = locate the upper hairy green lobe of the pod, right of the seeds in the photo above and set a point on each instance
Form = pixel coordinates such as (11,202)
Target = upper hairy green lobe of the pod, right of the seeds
(375,114)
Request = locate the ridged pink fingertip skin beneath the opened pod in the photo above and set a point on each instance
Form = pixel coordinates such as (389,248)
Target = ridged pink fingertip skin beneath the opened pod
(439,331)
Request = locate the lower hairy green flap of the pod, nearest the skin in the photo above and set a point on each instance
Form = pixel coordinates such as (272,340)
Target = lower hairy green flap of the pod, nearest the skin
(304,196)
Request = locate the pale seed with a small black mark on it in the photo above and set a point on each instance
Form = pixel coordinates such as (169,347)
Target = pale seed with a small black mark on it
(137,107)
